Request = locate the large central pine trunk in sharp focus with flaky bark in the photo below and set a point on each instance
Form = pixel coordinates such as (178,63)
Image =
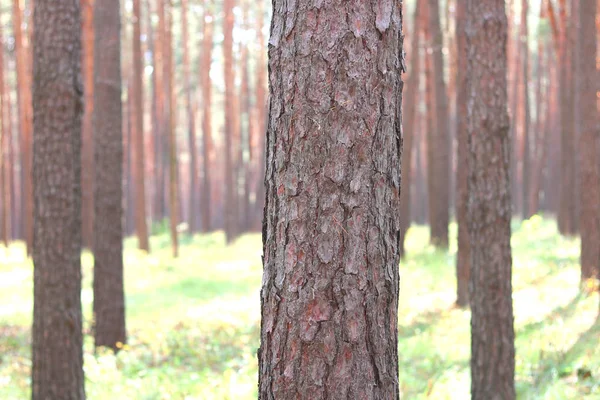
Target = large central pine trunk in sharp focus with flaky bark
(331,228)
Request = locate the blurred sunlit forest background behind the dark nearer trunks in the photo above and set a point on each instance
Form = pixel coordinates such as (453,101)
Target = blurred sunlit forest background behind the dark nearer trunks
(195,112)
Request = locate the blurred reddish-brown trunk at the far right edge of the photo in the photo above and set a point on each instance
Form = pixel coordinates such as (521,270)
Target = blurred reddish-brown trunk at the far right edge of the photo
(589,140)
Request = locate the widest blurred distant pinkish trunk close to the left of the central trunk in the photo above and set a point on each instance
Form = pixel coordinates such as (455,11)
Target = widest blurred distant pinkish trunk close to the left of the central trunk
(230,192)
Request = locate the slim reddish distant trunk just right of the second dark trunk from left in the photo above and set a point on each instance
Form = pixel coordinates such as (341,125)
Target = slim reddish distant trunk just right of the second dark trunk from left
(137,125)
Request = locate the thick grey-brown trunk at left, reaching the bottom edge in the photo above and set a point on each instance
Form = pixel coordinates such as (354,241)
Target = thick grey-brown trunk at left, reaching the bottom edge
(57,369)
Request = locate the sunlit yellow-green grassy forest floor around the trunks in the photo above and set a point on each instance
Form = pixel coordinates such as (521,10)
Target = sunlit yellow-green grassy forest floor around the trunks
(194,322)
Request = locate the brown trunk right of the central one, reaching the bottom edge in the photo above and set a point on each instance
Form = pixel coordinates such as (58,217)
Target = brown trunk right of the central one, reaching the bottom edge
(489,209)
